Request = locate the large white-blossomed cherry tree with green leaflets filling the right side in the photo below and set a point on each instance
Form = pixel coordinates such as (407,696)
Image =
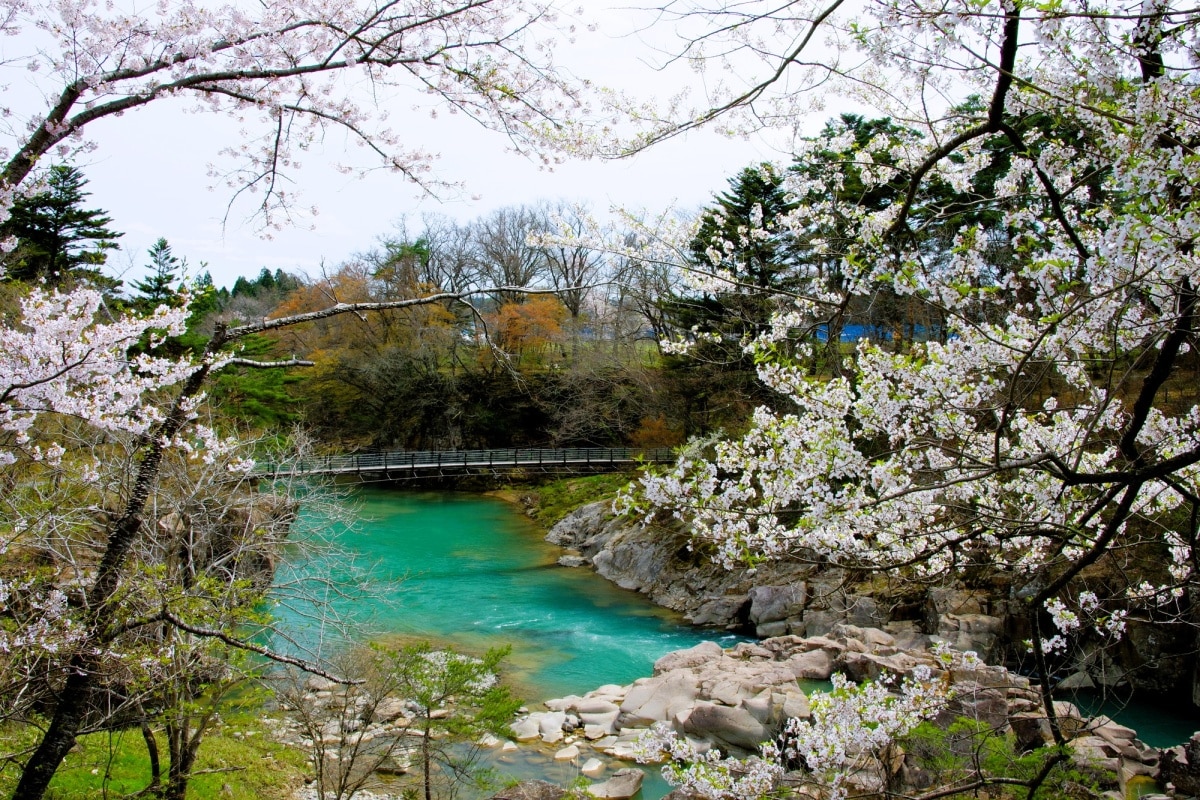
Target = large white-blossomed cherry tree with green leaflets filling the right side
(1049,431)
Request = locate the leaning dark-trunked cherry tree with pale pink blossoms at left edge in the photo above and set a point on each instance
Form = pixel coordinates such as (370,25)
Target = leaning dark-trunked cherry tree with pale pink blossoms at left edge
(67,377)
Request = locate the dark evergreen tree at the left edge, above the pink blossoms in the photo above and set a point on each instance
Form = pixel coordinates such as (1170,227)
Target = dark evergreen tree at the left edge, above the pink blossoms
(58,239)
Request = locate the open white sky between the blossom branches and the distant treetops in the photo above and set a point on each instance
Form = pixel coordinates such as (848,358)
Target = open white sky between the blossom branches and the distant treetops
(149,173)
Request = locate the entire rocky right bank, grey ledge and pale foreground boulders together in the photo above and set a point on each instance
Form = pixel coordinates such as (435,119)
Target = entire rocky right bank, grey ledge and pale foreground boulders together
(817,622)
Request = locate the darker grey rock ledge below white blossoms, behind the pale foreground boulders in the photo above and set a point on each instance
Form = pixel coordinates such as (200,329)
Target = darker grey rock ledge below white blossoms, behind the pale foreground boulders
(779,599)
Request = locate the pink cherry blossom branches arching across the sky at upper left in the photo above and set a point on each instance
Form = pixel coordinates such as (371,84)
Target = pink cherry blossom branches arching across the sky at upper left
(289,73)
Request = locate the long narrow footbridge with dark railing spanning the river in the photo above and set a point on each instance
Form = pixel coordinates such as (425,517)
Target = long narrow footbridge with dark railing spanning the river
(465,460)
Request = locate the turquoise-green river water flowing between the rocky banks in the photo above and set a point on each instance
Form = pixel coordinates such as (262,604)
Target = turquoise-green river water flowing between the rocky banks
(472,573)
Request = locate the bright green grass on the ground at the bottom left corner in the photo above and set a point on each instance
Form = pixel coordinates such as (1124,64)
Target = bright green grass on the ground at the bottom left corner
(237,762)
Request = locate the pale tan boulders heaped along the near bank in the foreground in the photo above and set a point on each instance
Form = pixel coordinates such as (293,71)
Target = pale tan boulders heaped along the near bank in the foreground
(735,700)
